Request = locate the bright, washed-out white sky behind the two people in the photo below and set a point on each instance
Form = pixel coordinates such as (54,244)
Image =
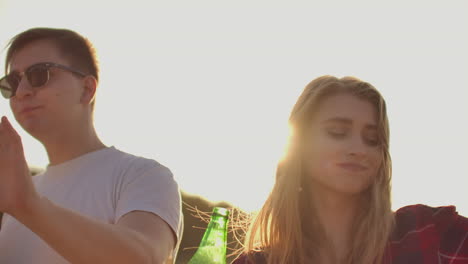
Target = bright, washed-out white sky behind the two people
(206,87)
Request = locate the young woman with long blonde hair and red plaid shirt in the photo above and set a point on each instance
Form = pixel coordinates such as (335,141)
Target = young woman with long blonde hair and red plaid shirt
(331,200)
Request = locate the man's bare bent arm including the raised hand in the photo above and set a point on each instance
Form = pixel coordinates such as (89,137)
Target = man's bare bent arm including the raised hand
(138,237)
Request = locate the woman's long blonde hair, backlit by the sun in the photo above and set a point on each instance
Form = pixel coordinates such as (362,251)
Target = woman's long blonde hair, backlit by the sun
(277,231)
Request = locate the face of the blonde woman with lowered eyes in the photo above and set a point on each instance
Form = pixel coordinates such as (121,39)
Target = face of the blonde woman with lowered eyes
(343,152)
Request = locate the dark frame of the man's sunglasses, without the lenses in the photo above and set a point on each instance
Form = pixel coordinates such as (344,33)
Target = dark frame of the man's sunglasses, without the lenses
(46,65)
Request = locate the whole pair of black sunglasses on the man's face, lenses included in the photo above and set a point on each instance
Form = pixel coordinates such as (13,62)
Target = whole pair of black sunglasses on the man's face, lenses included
(37,76)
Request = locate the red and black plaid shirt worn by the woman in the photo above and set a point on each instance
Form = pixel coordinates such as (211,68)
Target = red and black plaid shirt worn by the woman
(422,235)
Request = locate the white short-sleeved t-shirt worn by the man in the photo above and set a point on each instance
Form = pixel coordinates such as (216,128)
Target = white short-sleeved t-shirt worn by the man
(105,185)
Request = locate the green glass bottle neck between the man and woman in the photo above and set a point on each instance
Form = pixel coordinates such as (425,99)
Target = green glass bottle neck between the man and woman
(212,249)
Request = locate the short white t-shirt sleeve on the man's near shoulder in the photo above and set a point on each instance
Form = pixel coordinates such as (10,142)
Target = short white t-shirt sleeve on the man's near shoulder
(151,189)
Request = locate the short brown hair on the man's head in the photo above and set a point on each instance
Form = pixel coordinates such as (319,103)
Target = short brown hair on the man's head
(75,47)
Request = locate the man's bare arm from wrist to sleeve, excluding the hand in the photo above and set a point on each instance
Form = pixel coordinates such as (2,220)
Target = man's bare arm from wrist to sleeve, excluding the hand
(138,237)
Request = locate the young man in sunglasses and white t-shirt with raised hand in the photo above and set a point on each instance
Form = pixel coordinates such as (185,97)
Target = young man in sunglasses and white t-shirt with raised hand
(93,203)
